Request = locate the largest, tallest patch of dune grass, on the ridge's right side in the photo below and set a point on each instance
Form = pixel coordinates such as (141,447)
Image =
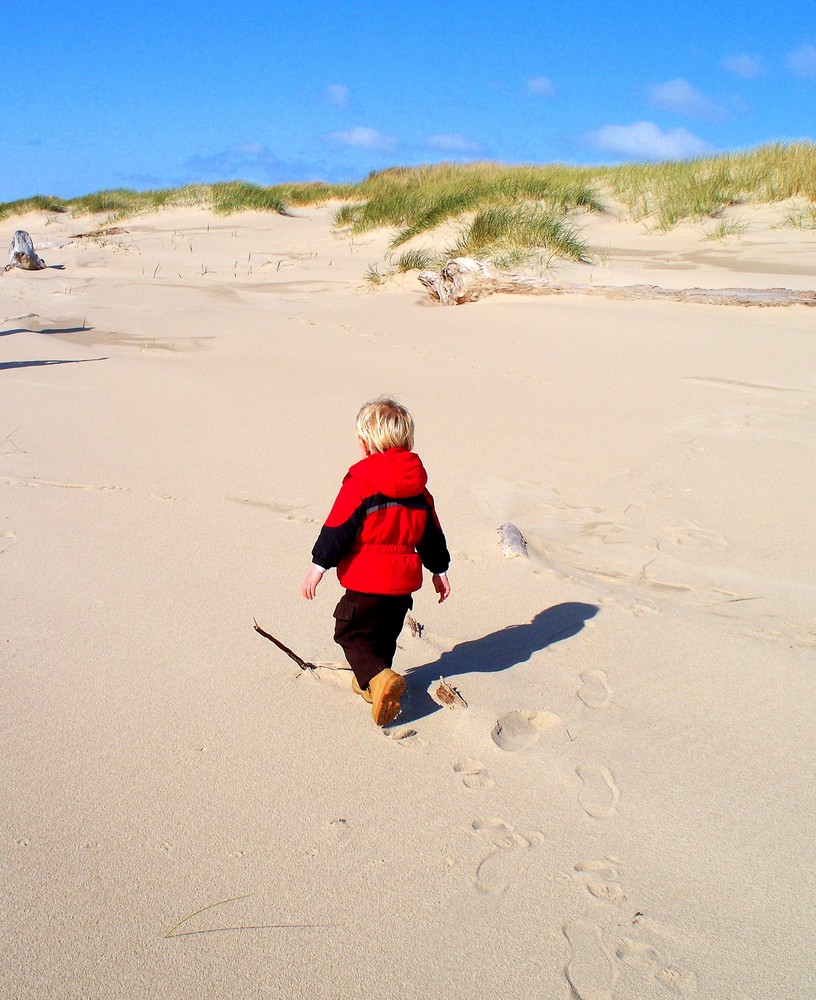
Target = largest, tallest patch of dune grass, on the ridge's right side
(515,215)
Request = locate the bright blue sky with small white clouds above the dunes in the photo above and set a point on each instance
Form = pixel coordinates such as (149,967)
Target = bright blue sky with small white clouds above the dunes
(102,95)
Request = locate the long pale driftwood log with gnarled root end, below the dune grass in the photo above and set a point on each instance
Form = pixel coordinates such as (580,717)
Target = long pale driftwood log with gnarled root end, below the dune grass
(466,280)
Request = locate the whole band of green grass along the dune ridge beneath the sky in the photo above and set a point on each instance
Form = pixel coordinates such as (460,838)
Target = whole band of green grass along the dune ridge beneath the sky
(511,215)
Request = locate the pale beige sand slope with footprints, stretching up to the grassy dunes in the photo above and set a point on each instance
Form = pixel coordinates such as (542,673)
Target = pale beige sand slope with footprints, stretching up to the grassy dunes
(643,823)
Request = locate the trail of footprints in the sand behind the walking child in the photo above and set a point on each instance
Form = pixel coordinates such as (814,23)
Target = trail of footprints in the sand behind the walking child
(592,969)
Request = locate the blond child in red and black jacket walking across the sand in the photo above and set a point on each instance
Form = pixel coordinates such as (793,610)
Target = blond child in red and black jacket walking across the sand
(379,534)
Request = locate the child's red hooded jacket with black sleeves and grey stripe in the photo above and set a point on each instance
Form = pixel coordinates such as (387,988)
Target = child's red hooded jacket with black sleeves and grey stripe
(383,527)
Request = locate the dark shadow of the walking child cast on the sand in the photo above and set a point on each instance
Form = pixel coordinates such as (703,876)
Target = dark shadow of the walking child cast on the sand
(497,651)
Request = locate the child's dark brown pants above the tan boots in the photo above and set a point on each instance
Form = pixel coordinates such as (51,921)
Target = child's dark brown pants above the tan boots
(367,627)
